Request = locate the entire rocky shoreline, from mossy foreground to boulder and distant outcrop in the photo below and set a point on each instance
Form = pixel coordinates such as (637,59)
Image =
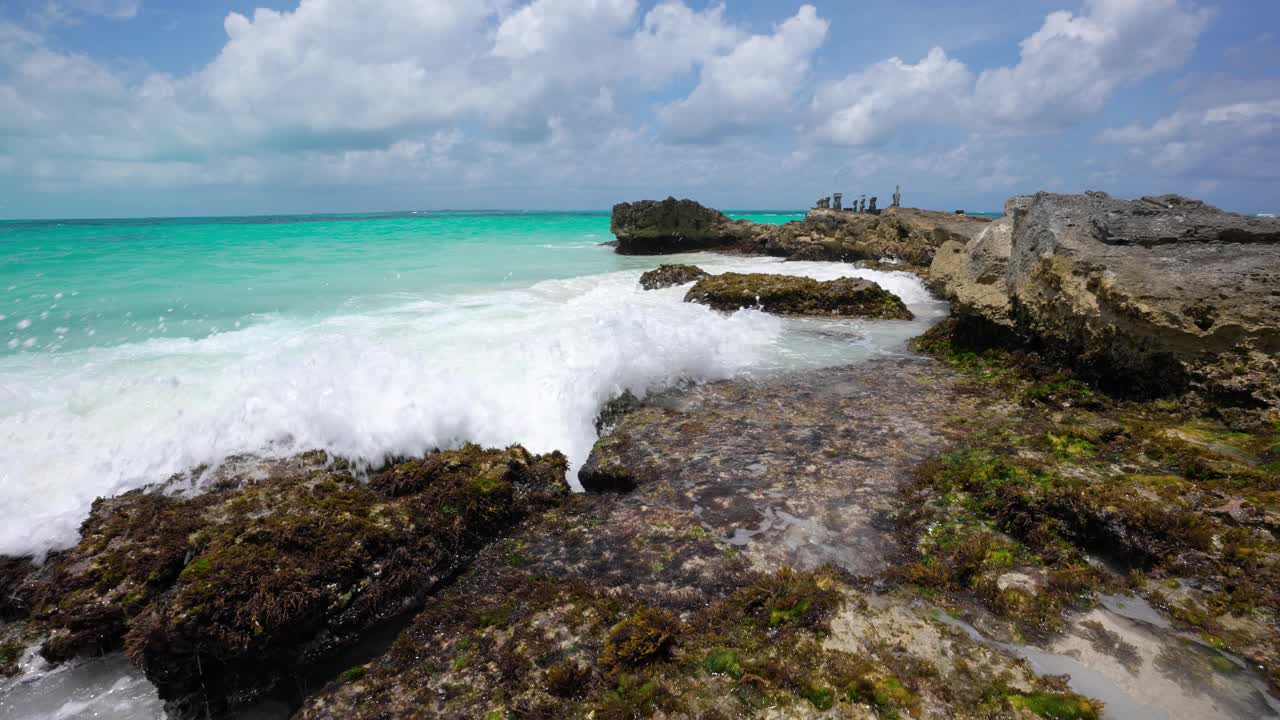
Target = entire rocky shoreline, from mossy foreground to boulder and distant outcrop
(939,535)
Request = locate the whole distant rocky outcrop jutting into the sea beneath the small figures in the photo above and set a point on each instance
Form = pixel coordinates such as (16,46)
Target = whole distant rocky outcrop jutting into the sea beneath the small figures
(902,235)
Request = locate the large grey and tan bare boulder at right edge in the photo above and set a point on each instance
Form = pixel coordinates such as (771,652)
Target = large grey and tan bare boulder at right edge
(1158,295)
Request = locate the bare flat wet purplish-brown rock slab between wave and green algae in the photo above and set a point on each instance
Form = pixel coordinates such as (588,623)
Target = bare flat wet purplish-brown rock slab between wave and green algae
(797,472)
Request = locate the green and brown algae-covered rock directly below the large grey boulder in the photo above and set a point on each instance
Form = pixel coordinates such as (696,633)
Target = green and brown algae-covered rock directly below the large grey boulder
(1181,507)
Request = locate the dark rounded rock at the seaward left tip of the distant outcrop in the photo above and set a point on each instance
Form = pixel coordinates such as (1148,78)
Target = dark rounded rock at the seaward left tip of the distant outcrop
(659,227)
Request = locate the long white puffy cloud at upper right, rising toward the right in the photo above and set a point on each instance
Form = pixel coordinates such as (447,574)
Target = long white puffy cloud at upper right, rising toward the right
(1067,70)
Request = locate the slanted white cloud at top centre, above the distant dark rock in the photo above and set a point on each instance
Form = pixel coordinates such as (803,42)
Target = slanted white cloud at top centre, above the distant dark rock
(751,85)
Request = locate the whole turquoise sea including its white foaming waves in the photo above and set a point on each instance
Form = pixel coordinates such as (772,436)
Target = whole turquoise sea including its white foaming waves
(131,350)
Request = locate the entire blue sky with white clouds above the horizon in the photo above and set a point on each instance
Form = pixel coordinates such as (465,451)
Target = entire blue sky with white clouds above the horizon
(149,108)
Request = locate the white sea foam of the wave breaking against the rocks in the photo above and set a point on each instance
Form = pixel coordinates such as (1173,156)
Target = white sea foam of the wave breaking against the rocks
(531,366)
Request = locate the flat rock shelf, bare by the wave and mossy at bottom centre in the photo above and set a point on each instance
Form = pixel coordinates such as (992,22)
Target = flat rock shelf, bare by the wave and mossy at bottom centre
(683,599)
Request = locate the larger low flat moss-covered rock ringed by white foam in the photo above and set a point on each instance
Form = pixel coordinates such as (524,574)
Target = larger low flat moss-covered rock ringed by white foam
(790,295)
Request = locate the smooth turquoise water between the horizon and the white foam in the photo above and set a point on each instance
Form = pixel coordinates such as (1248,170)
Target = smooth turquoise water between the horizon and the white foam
(76,284)
